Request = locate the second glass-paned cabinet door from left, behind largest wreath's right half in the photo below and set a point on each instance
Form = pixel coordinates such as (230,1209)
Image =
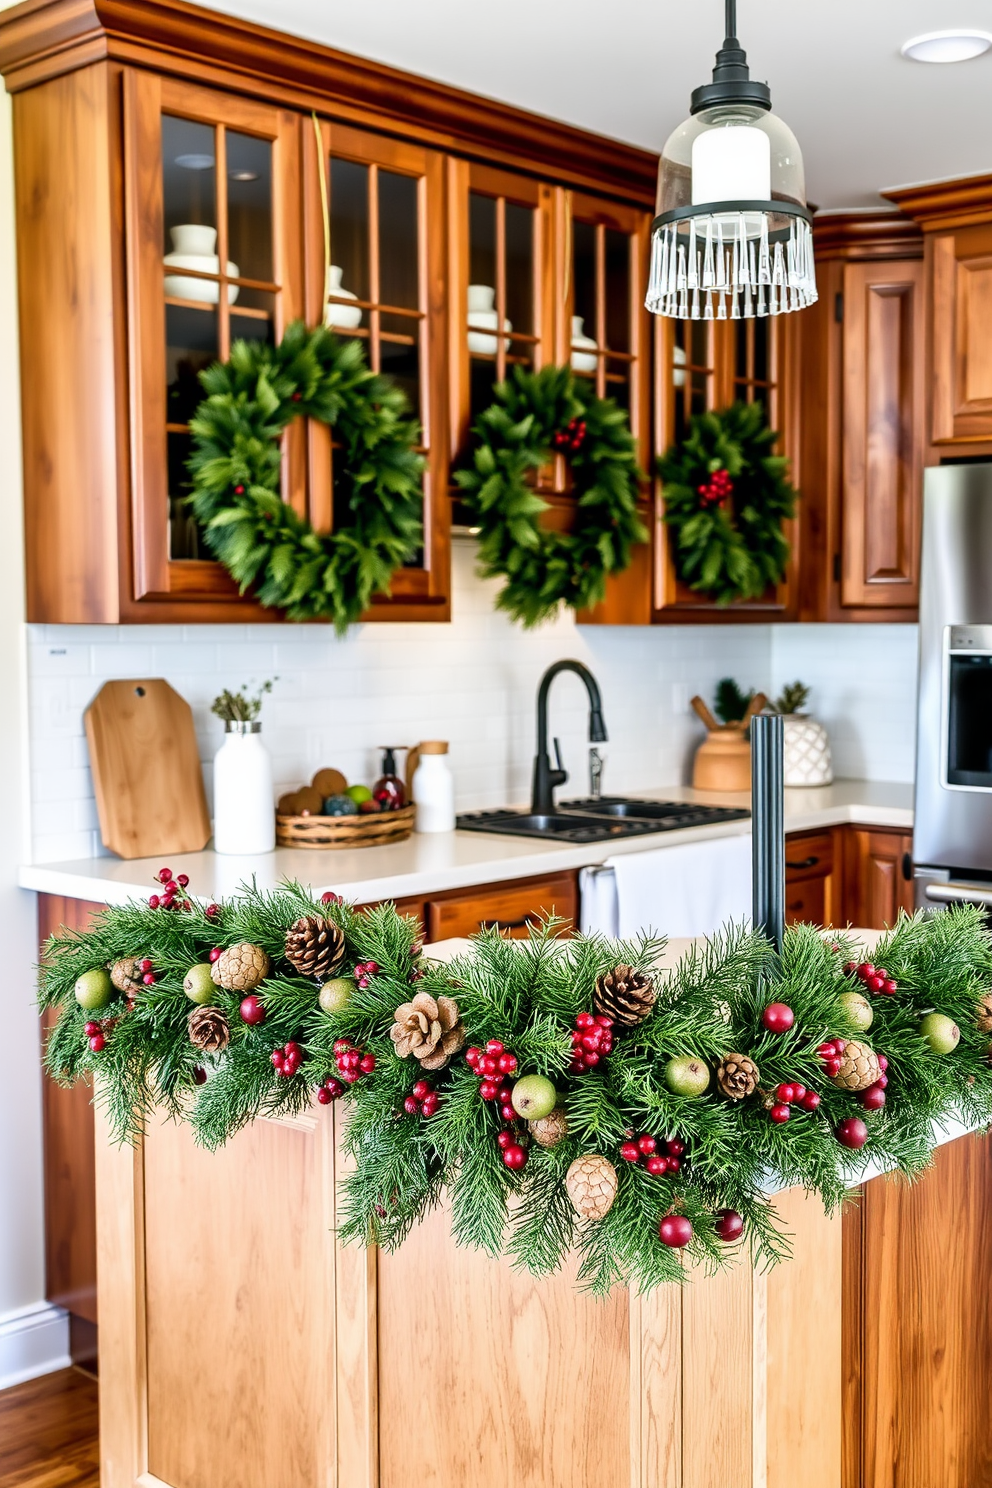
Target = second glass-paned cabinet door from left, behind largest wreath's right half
(379,278)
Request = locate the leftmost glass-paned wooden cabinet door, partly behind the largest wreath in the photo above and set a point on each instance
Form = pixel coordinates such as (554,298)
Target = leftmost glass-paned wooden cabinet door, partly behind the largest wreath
(213,257)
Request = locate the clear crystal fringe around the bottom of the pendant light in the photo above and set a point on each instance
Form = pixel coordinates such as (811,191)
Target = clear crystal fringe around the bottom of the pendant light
(710,269)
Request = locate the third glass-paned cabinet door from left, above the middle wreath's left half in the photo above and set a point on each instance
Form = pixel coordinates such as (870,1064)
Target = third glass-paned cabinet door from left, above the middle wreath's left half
(500,276)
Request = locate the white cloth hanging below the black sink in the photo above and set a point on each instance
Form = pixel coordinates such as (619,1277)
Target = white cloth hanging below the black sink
(682,891)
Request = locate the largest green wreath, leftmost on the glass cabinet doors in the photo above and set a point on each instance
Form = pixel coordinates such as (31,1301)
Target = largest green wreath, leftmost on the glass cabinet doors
(236,474)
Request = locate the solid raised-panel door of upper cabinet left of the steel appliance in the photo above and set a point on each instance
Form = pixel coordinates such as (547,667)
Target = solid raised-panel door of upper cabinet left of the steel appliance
(884,401)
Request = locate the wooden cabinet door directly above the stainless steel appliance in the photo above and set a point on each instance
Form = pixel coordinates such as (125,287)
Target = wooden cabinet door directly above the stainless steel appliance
(962,309)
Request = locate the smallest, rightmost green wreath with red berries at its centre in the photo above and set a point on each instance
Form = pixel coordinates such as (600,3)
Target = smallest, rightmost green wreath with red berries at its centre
(727,498)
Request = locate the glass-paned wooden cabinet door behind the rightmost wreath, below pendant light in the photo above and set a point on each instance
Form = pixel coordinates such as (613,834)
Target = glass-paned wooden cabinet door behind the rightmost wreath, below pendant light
(703,365)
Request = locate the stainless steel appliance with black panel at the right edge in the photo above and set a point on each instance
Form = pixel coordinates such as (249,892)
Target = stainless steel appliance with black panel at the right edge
(953,834)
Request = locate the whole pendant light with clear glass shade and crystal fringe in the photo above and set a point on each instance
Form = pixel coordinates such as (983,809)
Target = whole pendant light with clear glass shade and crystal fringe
(734,237)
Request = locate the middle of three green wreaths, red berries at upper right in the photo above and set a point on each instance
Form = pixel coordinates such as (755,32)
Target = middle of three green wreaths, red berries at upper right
(535,417)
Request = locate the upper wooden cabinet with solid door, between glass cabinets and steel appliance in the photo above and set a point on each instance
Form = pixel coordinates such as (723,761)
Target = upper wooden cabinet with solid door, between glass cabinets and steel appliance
(863,422)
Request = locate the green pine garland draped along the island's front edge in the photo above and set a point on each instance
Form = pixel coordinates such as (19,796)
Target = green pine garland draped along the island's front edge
(526,998)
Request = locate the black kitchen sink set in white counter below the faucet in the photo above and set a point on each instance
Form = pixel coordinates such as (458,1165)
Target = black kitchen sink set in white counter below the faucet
(605,821)
